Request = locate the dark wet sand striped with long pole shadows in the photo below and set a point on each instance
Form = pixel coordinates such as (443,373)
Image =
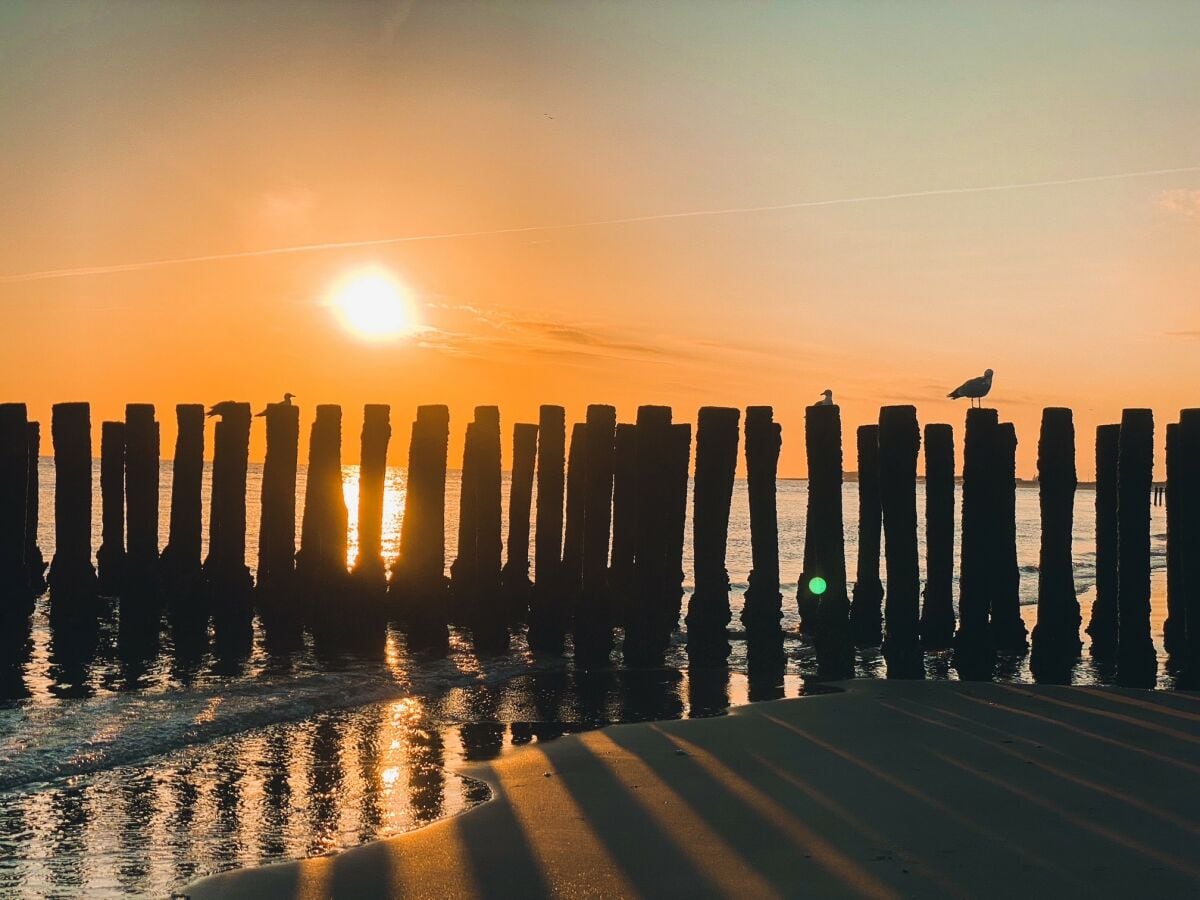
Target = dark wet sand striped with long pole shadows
(886,790)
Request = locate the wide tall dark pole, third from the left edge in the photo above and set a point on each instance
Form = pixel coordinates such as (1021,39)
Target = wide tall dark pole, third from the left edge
(73,578)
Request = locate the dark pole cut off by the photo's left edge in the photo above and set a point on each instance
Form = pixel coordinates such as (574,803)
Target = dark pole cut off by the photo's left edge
(15,465)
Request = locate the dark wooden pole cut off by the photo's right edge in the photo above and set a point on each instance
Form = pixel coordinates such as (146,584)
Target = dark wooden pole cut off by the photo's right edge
(1189,527)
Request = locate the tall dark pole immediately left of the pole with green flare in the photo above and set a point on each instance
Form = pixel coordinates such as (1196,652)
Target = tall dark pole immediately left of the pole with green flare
(764,602)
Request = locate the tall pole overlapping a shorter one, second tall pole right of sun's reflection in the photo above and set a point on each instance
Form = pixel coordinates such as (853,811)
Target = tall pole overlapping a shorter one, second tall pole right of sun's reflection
(489,627)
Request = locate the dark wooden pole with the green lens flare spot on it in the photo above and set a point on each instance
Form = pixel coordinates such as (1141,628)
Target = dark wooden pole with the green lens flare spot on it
(821,592)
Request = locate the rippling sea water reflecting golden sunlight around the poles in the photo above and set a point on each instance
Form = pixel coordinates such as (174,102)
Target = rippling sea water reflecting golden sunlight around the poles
(123,777)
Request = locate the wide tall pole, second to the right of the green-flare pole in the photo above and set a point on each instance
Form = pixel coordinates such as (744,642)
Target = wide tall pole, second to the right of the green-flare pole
(899,447)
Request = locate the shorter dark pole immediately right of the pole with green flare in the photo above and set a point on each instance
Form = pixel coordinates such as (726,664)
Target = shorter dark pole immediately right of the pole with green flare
(867,608)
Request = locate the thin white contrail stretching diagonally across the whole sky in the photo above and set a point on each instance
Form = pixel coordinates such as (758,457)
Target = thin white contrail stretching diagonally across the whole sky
(592,224)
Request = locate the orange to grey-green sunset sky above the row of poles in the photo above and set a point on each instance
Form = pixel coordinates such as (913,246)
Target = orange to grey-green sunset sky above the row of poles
(685,203)
